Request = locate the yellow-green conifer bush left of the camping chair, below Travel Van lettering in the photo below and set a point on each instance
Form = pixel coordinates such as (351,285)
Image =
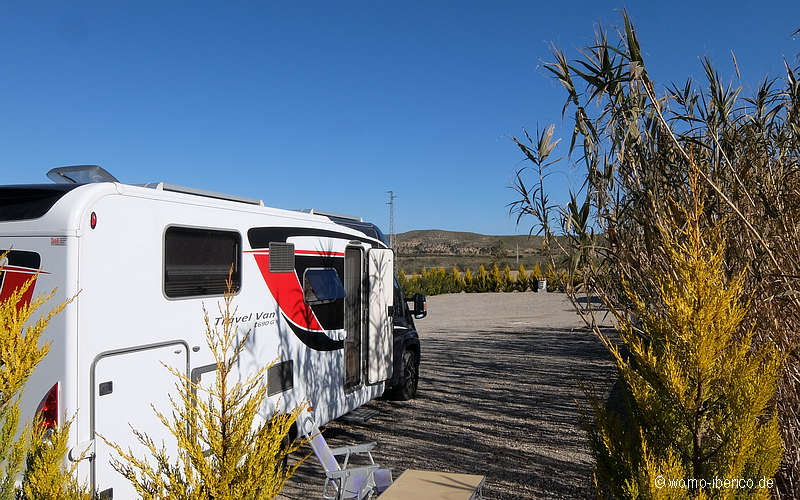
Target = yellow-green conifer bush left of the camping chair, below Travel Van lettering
(225,451)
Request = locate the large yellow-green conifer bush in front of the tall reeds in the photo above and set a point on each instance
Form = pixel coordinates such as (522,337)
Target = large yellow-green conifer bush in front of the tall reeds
(699,393)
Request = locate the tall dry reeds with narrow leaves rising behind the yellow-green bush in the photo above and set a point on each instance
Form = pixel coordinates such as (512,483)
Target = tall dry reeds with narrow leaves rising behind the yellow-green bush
(639,141)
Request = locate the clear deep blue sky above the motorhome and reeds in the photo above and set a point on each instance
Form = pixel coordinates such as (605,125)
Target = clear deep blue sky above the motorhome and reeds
(331,104)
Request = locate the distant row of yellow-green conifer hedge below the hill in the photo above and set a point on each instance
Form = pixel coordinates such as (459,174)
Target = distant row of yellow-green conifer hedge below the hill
(438,280)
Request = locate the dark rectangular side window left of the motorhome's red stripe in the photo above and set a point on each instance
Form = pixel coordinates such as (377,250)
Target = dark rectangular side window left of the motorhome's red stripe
(197,261)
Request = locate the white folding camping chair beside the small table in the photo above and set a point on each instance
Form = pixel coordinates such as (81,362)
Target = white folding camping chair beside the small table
(355,482)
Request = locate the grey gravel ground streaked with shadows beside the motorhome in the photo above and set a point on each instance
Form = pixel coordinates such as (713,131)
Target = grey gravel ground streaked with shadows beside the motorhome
(498,396)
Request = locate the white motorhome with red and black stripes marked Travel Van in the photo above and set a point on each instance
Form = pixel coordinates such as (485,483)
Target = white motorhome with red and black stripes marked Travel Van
(317,291)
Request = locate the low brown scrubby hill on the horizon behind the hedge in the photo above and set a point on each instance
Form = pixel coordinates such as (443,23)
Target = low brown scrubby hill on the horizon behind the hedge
(437,248)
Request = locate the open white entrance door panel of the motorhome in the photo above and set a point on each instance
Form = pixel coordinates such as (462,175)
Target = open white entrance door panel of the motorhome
(381,295)
